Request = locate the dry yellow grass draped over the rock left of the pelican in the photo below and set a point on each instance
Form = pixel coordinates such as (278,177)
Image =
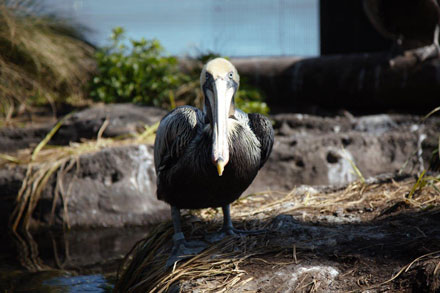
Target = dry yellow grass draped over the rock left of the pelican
(47,162)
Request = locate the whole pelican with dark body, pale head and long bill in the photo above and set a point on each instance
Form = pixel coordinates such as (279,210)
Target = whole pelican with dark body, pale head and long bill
(208,158)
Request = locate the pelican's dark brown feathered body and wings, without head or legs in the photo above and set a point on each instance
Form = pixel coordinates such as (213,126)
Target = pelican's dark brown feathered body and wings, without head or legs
(188,179)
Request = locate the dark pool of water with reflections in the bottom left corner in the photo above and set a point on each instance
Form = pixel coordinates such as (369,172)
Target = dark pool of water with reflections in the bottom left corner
(64,261)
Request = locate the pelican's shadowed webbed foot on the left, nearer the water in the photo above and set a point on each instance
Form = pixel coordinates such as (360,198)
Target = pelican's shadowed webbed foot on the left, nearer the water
(183,249)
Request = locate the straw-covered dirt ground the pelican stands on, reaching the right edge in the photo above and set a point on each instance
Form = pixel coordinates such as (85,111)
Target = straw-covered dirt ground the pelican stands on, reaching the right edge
(378,237)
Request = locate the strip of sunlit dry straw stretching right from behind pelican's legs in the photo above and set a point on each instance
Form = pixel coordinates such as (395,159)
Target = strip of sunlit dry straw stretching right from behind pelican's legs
(354,197)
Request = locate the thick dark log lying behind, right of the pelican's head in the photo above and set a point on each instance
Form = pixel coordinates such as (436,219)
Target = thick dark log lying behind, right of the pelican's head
(362,83)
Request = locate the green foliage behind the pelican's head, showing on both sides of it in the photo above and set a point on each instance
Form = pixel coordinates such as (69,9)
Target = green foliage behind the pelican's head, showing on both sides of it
(139,72)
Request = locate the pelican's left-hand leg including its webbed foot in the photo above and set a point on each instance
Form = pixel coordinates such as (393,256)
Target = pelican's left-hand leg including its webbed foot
(182,249)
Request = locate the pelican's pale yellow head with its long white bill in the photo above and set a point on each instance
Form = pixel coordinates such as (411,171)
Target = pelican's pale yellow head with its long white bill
(219,81)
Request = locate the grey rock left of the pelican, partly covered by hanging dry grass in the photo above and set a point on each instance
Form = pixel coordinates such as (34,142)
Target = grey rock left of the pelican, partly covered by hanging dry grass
(111,188)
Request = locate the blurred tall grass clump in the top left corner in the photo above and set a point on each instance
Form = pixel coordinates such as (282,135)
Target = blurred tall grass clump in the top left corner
(43,59)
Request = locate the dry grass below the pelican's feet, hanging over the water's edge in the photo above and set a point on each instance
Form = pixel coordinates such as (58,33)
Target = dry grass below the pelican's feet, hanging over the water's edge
(218,265)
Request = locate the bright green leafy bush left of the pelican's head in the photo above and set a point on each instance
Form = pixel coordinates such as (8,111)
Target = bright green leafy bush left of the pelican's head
(137,73)
